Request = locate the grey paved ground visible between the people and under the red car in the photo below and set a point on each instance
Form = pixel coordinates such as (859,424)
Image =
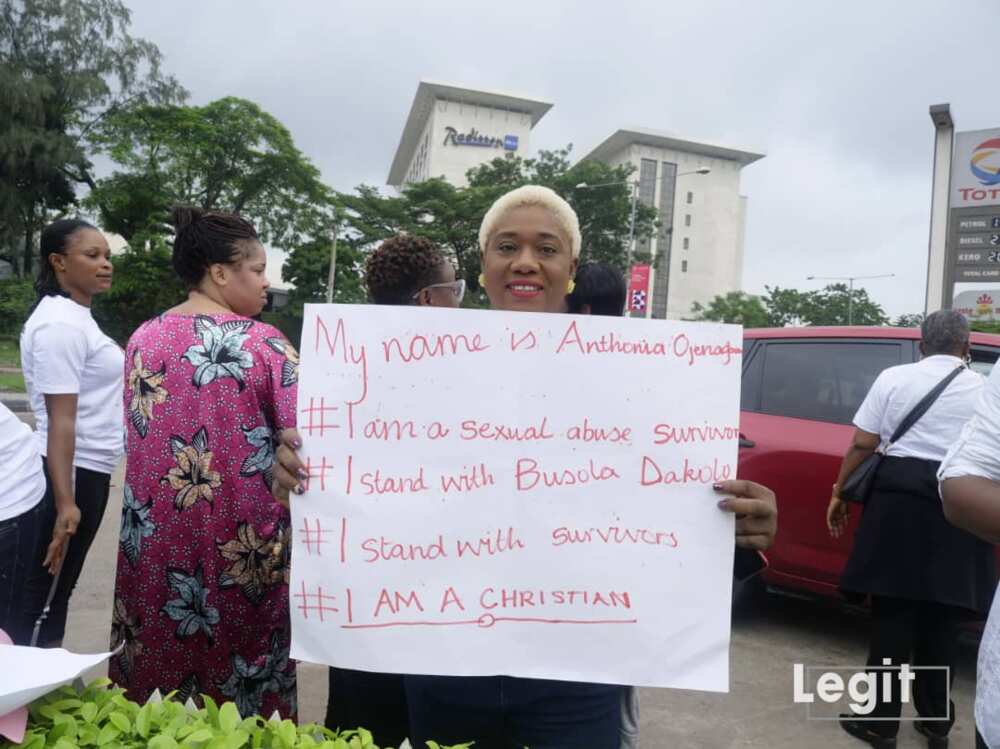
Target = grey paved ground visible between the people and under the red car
(758,711)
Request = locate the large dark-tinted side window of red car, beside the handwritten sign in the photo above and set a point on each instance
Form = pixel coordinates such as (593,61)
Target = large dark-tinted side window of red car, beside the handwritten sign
(824,381)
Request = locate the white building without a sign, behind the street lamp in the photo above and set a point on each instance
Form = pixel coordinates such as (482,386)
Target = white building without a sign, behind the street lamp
(698,250)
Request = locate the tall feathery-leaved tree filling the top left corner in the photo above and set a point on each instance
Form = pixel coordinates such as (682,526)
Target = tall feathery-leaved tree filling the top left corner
(64,66)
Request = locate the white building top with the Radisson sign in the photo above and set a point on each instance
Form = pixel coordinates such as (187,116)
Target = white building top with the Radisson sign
(452,129)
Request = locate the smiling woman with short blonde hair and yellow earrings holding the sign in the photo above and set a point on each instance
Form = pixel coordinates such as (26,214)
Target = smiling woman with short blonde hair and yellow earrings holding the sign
(530,244)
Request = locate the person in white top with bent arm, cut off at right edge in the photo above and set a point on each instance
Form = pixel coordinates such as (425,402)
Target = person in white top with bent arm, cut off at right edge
(970,488)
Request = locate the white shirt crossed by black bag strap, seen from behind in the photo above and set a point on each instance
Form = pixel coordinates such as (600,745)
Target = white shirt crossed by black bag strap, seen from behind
(898,389)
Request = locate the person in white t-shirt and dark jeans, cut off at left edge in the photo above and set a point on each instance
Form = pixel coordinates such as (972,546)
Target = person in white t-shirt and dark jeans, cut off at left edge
(21,523)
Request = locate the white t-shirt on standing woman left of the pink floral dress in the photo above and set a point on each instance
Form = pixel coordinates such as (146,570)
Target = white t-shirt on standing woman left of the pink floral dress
(63,351)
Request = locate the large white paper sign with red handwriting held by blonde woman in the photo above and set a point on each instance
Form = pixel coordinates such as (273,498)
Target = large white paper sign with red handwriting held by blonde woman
(515,493)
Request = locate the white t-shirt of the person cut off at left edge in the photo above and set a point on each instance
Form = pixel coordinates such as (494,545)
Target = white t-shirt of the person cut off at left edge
(24,481)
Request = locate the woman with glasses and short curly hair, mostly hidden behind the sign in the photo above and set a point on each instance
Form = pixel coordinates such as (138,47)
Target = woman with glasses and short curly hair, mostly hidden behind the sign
(404,270)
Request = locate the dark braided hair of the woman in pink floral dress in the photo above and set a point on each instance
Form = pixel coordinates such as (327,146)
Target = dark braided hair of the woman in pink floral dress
(204,238)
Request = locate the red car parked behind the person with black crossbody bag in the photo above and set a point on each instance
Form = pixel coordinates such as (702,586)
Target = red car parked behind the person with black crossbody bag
(801,389)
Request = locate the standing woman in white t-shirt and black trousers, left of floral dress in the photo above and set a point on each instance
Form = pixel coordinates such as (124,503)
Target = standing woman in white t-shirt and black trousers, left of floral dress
(74,377)
